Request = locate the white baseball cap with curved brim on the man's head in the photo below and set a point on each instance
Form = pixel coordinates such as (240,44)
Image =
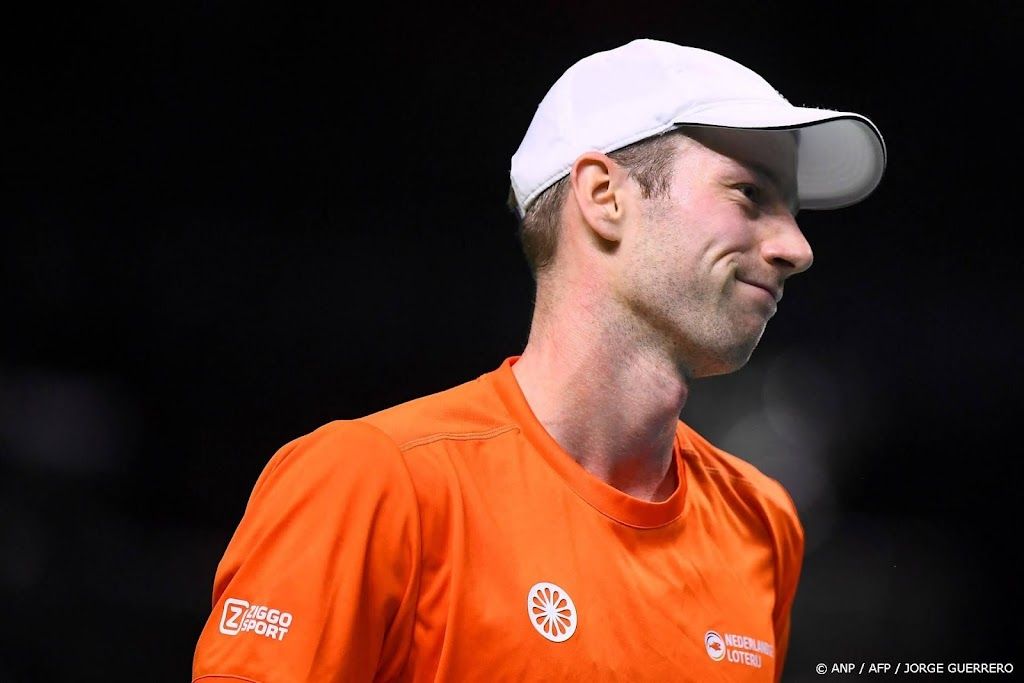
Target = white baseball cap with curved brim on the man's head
(612,100)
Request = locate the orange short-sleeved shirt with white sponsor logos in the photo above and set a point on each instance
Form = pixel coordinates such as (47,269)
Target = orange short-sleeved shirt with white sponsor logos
(452,539)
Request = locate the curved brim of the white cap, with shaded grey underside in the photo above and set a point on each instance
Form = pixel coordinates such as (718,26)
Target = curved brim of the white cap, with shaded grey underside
(841,156)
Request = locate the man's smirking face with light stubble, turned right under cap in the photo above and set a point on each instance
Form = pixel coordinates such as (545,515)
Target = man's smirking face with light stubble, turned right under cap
(704,267)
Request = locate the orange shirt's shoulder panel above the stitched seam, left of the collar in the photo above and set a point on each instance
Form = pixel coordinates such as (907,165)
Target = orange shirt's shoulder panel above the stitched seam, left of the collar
(460,412)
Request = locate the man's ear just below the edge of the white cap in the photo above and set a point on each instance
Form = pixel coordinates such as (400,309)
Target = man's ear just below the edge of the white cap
(600,186)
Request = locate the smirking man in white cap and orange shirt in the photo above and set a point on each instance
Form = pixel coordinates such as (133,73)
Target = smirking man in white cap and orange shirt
(554,520)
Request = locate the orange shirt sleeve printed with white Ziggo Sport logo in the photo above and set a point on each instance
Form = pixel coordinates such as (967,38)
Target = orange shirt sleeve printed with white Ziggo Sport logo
(320,581)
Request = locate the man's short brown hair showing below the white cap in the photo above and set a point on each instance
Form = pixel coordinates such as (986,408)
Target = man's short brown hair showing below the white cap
(648,162)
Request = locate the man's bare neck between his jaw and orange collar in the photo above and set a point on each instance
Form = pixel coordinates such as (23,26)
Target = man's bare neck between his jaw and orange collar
(613,406)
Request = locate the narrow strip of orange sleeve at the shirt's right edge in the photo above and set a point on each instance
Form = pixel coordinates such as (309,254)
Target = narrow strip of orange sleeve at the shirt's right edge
(790,559)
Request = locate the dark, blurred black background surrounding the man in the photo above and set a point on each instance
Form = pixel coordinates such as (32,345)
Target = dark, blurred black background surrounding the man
(225,225)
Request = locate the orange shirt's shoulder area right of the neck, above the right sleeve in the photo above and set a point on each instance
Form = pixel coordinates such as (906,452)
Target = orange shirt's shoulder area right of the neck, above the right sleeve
(727,469)
